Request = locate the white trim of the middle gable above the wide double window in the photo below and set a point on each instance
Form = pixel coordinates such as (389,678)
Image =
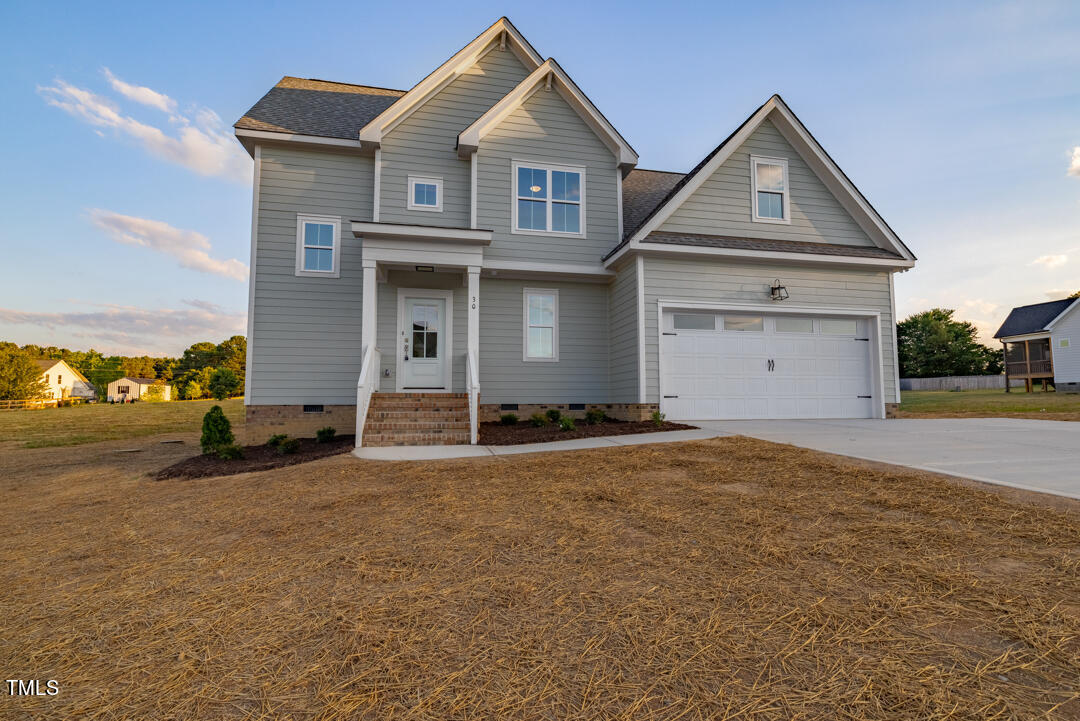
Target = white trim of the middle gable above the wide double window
(549,76)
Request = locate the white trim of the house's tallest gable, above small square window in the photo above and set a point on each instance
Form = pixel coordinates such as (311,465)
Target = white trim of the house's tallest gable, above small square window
(503,34)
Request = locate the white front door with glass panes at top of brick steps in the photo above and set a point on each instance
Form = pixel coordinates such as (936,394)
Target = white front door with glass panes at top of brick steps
(423,344)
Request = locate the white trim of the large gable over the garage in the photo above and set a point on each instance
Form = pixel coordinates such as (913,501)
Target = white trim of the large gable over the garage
(816,157)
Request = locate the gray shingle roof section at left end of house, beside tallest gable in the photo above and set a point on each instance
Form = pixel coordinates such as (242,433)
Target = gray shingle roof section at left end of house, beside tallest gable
(318,107)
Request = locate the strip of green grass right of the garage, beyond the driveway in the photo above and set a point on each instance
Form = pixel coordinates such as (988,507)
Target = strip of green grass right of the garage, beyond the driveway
(990,403)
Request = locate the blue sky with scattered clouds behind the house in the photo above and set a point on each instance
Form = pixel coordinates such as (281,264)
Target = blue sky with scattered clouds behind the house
(128,203)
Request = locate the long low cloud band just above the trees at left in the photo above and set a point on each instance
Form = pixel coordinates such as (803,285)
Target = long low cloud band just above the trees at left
(130,330)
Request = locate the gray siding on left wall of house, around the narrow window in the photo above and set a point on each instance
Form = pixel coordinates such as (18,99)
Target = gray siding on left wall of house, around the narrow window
(306,345)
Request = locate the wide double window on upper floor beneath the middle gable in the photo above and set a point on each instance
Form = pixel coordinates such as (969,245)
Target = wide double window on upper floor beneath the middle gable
(548,199)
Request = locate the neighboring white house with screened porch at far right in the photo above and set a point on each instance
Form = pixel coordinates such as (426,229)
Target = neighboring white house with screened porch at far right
(1043,344)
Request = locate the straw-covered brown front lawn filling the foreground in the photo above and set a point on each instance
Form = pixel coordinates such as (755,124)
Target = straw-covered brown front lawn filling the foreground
(728,579)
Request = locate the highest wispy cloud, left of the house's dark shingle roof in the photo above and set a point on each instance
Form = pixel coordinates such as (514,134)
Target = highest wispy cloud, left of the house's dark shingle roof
(202,145)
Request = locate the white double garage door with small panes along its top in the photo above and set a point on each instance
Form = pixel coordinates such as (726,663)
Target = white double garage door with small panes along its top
(719,366)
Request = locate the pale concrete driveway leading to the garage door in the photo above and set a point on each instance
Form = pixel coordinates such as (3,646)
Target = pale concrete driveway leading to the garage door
(1041,456)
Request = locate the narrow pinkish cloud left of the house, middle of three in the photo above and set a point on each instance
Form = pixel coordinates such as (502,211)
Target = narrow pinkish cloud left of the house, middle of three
(188,247)
